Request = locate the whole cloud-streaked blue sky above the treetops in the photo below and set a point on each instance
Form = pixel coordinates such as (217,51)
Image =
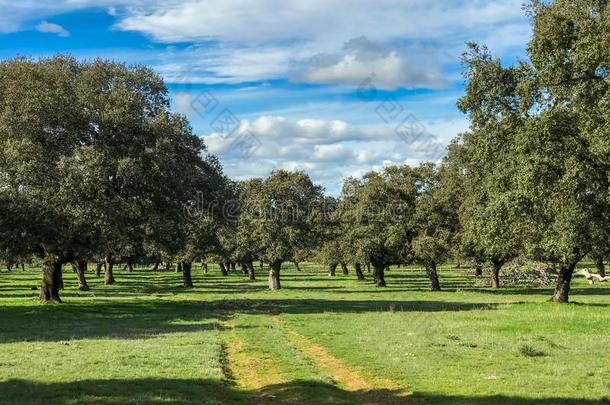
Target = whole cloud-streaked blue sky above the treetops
(289,84)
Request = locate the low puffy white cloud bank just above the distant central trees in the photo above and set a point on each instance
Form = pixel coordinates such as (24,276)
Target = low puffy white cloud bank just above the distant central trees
(329,150)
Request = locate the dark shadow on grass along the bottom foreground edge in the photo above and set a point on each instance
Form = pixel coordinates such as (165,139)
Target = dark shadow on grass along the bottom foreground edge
(194,391)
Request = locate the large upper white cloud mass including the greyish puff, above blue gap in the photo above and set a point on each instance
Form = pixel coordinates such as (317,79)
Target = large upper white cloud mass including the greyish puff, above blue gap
(247,40)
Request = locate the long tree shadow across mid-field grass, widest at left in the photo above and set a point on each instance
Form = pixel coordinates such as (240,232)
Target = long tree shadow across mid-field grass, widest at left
(148,318)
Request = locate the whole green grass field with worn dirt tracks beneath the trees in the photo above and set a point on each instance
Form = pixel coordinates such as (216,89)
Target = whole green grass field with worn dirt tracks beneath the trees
(319,339)
